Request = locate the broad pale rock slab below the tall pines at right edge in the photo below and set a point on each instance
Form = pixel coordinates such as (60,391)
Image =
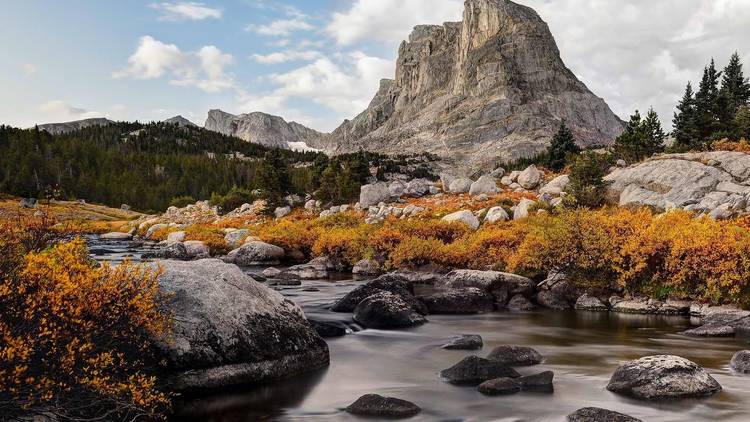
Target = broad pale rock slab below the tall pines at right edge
(715,183)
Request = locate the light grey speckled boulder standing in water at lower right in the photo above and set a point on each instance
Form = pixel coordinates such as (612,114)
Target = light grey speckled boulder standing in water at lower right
(662,377)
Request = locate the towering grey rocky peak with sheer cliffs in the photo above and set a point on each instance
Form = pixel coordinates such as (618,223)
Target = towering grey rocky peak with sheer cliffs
(490,87)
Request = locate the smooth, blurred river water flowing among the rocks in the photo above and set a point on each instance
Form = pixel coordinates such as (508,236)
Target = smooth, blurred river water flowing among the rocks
(582,348)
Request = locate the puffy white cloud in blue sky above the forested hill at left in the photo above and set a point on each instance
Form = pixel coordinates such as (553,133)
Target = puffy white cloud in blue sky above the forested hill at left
(204,69)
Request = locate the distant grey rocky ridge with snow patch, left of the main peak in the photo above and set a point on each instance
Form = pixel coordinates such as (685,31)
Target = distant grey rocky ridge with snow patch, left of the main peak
(261,128)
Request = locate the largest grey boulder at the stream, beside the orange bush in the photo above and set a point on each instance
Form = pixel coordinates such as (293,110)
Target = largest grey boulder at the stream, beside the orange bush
(230,330)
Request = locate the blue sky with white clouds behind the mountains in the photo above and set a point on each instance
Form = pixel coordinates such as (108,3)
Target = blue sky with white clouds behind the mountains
(319,62)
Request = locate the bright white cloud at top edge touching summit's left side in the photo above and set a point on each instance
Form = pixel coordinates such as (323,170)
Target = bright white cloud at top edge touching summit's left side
(389,20)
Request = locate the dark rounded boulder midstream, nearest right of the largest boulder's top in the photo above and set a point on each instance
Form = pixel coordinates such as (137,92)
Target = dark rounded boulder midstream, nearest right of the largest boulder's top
(386,310)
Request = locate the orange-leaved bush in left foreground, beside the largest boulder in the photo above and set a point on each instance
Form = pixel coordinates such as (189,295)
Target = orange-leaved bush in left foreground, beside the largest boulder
(75,336)
